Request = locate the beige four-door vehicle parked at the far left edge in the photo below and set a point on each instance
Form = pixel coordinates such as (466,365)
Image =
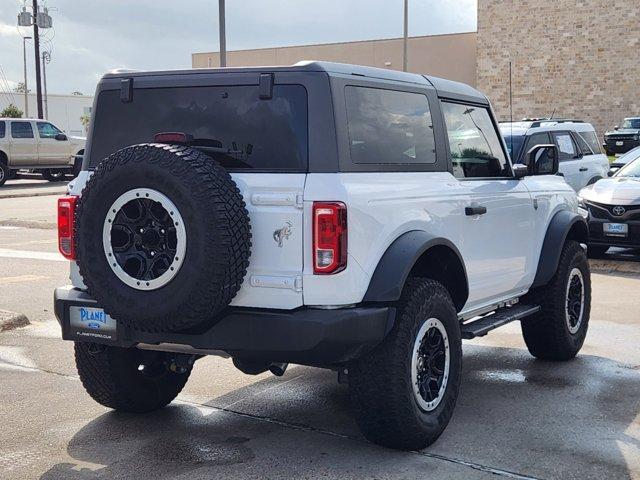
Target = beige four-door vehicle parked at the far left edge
(38,145)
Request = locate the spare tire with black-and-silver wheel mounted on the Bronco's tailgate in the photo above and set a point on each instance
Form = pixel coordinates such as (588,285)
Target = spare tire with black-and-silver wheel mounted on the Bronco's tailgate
(163,237)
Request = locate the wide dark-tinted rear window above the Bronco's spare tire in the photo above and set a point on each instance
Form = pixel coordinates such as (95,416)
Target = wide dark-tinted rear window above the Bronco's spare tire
(234,125)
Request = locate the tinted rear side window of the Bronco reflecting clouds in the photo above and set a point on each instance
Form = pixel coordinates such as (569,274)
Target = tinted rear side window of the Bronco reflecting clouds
(389,127)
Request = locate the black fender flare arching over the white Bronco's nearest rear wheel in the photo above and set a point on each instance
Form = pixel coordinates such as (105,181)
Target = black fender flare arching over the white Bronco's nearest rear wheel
(395,265)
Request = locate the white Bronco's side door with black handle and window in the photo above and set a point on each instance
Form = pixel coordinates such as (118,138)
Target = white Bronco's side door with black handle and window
(497,236)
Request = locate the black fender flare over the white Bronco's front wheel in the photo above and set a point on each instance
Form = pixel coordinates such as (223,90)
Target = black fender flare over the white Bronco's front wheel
(561,224)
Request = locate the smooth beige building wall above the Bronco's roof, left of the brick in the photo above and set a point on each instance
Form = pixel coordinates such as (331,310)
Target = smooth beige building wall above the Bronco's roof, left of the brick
(450,56)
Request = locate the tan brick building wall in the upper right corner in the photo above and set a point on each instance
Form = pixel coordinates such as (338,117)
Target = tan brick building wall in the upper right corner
(580,58)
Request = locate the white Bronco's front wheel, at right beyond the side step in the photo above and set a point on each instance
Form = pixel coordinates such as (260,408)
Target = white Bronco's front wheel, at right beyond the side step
(558,331)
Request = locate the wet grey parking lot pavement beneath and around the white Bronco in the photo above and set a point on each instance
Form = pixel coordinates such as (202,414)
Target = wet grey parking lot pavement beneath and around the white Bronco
(517,418)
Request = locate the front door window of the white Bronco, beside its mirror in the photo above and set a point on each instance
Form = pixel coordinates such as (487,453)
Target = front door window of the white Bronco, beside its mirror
(476,150)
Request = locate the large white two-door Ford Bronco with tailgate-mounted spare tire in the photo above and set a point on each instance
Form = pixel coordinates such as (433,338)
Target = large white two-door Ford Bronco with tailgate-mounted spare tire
(343,217)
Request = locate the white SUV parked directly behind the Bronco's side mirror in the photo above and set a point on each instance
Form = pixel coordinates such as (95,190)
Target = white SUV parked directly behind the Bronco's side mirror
(581,159)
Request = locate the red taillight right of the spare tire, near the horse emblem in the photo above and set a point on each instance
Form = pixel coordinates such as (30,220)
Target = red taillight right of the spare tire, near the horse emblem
(329,237)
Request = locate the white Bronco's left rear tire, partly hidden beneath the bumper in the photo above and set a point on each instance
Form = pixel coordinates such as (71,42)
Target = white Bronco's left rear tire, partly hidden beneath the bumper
(129,379)
